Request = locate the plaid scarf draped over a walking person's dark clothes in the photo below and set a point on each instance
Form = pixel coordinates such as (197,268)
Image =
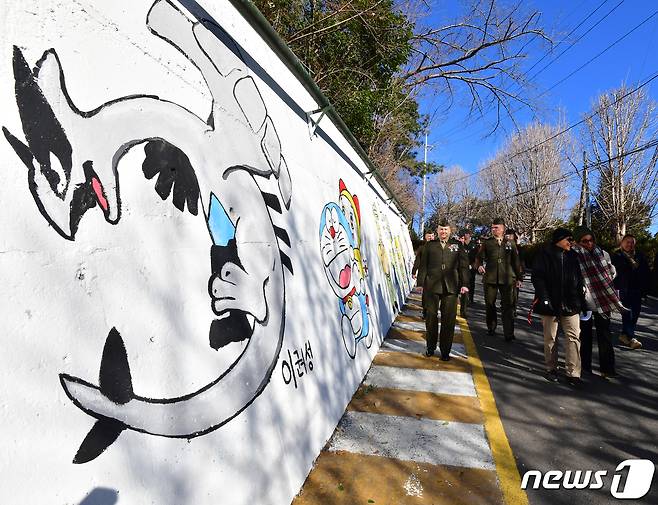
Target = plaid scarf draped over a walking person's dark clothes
(598,279)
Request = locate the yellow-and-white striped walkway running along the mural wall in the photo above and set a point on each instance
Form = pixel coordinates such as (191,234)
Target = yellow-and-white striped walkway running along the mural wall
(418,430)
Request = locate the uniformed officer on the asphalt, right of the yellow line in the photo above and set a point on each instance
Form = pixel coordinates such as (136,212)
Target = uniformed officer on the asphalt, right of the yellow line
(498,262)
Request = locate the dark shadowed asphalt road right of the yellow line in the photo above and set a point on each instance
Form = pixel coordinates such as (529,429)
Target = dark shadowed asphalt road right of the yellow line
(551,426)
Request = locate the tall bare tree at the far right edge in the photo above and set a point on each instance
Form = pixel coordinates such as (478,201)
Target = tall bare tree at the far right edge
(618,137)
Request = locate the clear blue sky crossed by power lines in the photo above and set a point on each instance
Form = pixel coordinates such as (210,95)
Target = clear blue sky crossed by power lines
(456,141)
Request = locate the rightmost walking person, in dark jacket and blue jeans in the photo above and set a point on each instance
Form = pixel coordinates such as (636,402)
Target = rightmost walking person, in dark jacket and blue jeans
(632,281)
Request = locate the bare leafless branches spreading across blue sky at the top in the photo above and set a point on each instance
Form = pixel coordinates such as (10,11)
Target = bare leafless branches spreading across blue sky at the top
(476,55)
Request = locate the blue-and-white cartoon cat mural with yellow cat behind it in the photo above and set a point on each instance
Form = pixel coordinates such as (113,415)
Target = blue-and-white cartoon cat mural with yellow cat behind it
(343,265)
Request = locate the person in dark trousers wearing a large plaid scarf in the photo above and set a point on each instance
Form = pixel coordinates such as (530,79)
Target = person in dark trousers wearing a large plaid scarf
(601,298)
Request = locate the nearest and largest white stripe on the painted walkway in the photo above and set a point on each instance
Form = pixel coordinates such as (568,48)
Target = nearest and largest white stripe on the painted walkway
(411,439)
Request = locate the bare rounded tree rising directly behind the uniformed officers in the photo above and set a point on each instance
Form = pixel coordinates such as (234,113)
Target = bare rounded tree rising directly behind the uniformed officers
(526,181)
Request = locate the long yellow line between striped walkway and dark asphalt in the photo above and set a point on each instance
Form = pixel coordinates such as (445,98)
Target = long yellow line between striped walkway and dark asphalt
(510,479)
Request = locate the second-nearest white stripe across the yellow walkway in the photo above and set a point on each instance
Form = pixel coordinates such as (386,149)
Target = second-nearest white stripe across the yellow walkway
(441,382)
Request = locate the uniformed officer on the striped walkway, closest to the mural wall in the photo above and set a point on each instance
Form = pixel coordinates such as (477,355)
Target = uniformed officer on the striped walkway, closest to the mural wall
(444,276)
